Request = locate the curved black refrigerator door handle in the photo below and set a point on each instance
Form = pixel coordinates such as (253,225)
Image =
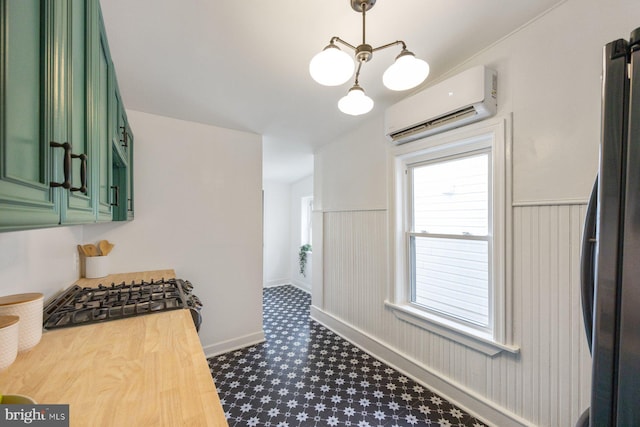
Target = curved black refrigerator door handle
(587,262)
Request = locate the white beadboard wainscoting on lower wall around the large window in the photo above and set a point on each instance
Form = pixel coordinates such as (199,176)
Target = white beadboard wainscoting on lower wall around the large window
(546,384)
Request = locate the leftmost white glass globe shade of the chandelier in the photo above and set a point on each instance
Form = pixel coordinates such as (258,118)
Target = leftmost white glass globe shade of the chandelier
(331,67)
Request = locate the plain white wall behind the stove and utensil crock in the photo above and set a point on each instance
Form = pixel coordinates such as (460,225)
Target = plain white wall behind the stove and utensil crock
(198,209)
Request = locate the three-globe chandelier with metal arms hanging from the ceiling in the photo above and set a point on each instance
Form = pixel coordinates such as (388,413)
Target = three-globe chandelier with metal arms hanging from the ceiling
(333,67)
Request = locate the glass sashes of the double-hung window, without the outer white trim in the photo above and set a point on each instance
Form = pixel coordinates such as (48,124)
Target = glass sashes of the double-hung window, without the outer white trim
(449,237)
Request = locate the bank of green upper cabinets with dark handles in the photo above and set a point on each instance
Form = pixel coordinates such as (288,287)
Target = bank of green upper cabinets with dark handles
(59,116)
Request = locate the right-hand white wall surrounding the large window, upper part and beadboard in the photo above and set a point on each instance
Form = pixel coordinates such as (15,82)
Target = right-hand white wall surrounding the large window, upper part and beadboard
(549,80)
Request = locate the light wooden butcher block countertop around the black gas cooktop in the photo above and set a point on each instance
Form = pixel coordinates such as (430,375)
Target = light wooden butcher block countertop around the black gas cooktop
(141,371)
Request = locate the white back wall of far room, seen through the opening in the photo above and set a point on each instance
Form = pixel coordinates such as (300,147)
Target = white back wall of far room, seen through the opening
(277,233)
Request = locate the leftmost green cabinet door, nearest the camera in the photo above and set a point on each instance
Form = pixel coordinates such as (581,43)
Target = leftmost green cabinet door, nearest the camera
(27,45)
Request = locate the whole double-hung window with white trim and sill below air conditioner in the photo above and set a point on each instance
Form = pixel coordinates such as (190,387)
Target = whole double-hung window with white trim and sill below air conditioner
(450,226)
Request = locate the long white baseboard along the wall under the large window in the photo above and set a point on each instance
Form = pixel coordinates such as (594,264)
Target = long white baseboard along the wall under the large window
(466,399)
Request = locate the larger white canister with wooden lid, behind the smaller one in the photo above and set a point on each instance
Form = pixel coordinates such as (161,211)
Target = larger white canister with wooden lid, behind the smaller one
(28,307)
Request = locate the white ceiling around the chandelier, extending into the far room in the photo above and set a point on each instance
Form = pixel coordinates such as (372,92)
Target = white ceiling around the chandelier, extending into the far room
(244,64)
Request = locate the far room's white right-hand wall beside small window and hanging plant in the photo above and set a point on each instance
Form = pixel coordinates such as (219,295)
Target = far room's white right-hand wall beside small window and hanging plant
(299,189)
